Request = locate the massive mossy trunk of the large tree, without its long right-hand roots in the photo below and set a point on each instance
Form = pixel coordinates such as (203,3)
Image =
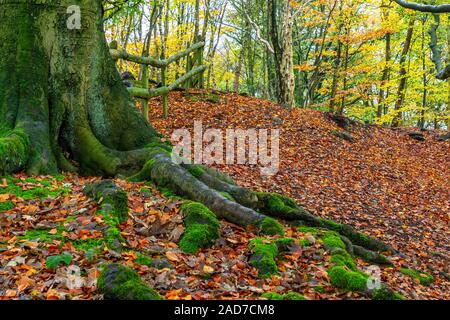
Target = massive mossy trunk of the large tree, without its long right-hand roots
(61,89)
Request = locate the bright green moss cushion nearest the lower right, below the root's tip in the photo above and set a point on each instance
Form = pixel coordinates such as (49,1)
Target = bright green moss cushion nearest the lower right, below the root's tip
(343,278)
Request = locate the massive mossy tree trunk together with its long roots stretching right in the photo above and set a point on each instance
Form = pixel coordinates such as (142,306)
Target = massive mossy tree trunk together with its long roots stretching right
(63,107)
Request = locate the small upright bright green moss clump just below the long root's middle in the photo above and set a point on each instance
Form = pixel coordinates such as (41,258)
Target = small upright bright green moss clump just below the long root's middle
(263,257)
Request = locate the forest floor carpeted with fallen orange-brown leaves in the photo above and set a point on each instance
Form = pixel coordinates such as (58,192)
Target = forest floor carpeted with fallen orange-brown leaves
(385,184)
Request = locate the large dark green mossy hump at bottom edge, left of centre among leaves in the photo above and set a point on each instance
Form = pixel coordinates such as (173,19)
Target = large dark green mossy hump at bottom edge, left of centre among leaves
(118,282)
